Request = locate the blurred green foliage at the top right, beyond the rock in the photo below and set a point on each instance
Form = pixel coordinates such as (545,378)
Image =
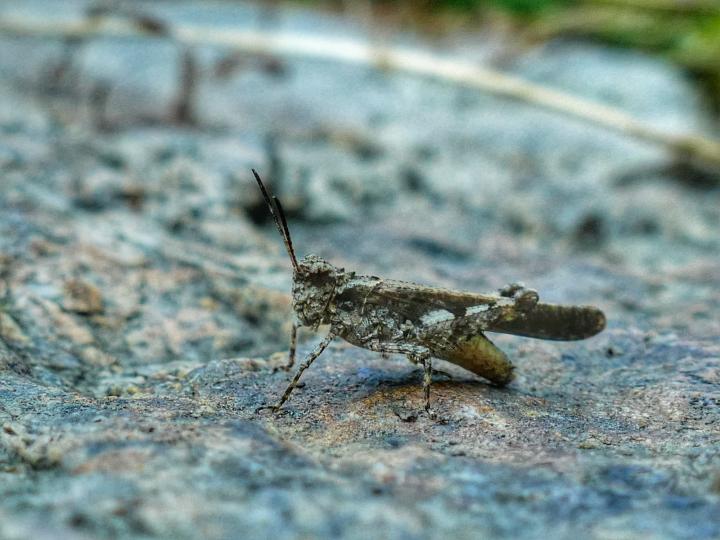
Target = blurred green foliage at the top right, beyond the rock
(686,32)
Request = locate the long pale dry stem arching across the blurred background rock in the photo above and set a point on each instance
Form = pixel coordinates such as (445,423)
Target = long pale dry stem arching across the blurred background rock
(689,147)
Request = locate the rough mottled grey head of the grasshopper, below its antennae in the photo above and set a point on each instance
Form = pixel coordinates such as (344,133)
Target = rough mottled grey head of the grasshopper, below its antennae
(314,285)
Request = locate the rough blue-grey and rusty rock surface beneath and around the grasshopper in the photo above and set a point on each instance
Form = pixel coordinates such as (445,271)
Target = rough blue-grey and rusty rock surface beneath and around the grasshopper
(144,294)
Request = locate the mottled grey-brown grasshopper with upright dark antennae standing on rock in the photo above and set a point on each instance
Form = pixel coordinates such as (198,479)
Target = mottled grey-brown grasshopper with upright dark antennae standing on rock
(421,322)
